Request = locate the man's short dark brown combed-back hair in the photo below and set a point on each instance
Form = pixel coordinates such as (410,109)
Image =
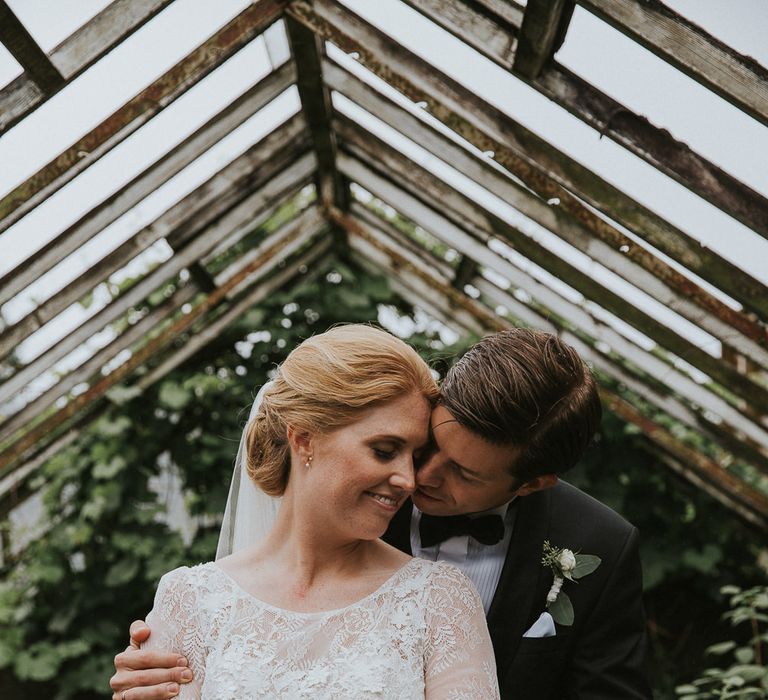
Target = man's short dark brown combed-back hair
(528,389)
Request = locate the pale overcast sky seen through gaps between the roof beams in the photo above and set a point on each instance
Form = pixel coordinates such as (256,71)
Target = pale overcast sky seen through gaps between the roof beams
(592,49)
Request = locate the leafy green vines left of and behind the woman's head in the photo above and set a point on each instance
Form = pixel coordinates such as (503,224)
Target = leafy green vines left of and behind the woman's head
(66,601)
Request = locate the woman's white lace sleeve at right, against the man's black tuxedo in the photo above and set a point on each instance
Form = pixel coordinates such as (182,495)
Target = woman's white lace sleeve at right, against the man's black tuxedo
(459,662)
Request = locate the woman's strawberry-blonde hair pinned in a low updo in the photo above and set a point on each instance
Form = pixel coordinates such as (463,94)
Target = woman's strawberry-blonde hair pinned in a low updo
(323,385)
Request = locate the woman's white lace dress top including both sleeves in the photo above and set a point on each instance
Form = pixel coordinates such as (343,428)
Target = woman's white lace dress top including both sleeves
(421,634)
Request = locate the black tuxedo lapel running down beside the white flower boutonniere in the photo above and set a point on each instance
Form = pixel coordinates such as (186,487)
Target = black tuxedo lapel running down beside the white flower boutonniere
(518,599)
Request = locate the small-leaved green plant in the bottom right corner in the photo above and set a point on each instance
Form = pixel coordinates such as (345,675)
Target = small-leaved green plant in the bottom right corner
(747,674)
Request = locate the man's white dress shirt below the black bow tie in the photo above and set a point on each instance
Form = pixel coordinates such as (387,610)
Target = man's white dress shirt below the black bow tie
(481,563)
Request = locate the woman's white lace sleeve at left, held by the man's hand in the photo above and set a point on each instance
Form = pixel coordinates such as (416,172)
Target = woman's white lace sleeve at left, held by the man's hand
(175,624)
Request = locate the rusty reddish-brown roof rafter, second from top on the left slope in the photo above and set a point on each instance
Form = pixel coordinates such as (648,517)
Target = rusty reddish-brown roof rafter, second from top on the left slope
(139,109)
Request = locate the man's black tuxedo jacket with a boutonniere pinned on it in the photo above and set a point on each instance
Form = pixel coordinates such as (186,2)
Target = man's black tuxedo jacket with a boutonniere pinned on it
(601,656)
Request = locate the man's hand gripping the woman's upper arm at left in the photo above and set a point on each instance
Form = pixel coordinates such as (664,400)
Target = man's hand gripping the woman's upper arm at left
(145,674)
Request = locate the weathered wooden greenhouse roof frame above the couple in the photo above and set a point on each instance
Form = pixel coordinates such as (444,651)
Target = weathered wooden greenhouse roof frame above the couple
(485,290)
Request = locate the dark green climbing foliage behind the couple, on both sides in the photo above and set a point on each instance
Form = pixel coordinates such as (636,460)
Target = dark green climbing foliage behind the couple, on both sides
(66,601)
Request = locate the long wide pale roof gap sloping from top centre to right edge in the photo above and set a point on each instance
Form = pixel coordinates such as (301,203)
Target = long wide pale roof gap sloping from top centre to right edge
(631,174)
